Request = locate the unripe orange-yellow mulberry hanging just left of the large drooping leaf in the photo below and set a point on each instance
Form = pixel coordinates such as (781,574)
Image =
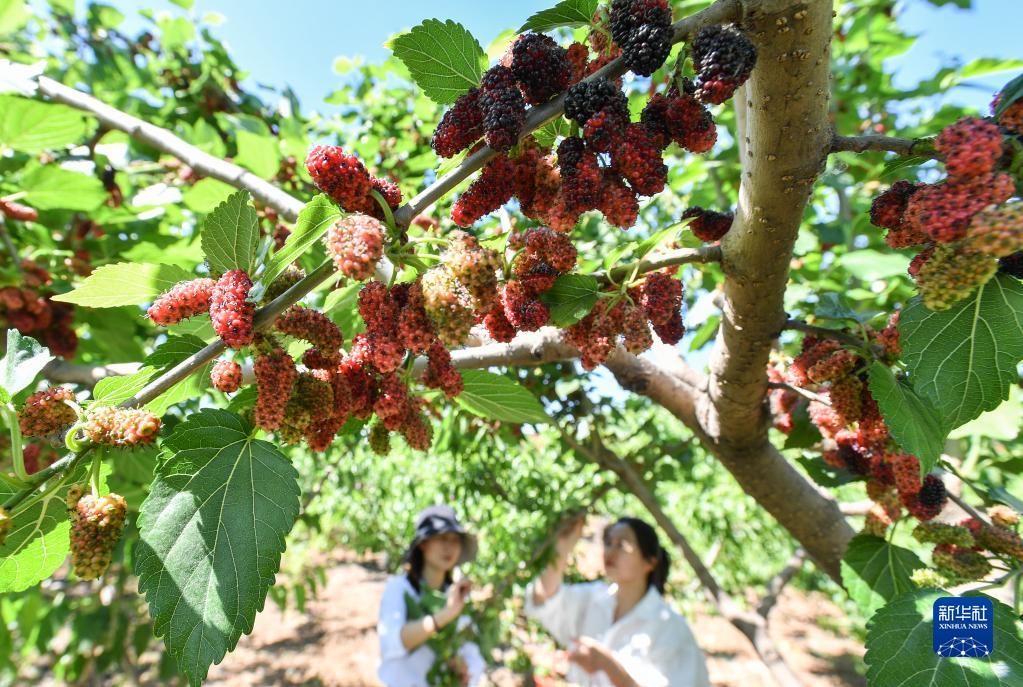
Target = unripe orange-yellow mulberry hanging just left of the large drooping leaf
(97,523)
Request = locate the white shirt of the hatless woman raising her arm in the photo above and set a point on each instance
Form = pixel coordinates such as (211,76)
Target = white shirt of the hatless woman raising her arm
(652,643)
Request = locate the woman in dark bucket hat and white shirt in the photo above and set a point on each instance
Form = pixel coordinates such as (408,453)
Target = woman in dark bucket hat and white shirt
(407,623)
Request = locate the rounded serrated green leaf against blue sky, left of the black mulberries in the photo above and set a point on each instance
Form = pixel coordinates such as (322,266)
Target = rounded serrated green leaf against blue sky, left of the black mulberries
(443,59)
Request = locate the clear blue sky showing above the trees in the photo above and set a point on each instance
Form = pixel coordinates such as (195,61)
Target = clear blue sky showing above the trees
(297,42)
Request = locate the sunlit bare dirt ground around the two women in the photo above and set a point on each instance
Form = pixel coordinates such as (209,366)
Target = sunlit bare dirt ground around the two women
(334,644)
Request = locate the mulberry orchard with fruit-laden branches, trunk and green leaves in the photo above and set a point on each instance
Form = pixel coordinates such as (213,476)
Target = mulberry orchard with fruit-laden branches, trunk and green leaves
(703,262)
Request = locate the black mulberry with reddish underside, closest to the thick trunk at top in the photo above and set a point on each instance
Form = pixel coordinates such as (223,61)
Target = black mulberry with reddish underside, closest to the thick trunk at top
(724,59)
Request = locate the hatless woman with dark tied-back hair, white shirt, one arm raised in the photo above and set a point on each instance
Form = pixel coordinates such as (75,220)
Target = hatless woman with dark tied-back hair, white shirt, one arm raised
(624,634)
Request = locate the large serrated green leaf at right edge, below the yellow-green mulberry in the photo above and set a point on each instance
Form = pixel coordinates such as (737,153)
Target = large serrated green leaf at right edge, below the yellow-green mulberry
(964,359)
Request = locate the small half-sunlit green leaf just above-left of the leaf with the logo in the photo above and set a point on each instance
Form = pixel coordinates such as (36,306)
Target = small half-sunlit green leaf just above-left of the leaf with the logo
(875,572)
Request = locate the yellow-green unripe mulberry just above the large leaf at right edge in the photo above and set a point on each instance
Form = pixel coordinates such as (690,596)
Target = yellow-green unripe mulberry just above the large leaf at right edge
(951,276)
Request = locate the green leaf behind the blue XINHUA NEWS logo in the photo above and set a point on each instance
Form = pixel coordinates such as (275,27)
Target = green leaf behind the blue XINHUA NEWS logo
(900,648)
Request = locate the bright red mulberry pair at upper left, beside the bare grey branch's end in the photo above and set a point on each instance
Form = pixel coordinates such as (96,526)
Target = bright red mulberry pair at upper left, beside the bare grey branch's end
(347,181)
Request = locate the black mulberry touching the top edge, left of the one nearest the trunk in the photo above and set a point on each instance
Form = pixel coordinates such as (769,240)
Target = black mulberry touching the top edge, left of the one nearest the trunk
(643,31)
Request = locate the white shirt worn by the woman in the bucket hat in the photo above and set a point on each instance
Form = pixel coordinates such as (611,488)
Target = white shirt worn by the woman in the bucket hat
(399,668)
